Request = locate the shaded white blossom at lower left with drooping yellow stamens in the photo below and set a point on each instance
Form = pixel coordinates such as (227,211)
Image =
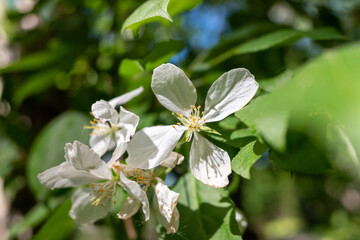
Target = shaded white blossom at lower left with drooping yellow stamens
(83,167)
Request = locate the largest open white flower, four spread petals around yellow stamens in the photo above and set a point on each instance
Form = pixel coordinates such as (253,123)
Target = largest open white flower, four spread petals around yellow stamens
(208,163)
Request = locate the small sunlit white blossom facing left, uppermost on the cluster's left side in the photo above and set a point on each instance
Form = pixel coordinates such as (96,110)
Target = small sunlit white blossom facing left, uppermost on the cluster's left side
(112,129)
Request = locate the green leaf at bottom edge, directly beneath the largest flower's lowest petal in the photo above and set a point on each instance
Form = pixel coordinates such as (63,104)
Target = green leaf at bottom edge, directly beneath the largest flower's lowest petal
(205,212)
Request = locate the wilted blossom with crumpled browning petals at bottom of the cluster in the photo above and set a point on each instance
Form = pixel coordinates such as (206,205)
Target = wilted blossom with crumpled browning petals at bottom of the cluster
(165,200)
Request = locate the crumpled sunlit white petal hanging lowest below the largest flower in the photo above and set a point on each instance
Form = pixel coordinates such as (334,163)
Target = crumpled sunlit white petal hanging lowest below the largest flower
(166,199)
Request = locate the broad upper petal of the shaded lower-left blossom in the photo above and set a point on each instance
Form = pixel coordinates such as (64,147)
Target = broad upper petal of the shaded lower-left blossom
(84,158)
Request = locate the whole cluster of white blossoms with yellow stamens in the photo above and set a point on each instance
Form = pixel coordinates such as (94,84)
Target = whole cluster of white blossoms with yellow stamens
(150,150)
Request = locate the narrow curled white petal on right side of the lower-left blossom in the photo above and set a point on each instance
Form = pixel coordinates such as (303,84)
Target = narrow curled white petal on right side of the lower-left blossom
(136,192)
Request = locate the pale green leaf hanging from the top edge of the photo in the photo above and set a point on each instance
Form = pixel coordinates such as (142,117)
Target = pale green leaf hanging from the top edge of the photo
(149,11)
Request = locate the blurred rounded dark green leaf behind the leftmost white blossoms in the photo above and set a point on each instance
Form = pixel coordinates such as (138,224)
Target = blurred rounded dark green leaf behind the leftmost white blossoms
(48,148)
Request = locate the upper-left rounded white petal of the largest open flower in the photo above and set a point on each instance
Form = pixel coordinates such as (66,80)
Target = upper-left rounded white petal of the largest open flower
(173,88)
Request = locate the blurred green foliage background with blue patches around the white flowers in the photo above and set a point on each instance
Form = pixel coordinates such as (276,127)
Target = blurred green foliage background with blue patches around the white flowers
(57,57)
